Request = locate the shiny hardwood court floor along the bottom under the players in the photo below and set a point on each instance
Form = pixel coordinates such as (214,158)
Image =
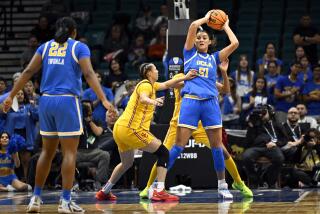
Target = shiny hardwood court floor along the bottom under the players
(202,201)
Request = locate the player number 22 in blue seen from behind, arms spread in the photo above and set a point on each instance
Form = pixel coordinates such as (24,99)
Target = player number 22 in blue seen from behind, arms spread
(62,60)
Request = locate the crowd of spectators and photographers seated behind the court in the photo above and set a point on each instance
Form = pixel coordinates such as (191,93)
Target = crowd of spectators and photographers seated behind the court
(288,134)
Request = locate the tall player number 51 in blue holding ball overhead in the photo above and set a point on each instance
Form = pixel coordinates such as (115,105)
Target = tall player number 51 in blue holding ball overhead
(200,96)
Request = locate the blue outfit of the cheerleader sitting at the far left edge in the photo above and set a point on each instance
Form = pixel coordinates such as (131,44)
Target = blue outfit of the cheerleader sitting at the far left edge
(7,175)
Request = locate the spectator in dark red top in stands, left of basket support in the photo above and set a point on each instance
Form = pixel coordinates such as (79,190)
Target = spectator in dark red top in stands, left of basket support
(157,46)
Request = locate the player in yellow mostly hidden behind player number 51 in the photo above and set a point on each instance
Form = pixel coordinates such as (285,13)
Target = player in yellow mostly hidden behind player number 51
(200,137)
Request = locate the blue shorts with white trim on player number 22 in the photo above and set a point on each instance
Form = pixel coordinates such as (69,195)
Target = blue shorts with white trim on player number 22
(60,116)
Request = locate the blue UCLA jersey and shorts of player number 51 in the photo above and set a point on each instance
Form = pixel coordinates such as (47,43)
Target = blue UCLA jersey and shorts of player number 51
(200,95)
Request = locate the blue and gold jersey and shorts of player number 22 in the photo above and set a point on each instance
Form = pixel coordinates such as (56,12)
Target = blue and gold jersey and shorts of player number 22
(59,108)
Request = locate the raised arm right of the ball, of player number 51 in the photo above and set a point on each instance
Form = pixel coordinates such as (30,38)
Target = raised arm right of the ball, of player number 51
(234,43)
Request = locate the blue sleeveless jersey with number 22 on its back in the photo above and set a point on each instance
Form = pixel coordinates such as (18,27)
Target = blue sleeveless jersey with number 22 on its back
(61,73)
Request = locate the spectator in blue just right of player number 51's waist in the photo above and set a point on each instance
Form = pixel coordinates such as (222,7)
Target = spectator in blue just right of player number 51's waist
(231,107)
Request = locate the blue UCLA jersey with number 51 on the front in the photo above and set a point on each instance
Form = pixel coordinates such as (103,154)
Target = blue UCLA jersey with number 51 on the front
(204,85)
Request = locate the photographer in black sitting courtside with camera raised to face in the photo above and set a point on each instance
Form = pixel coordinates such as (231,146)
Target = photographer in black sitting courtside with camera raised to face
(263,135)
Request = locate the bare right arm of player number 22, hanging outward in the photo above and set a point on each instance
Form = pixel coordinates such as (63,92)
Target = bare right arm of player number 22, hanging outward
(89,75)
